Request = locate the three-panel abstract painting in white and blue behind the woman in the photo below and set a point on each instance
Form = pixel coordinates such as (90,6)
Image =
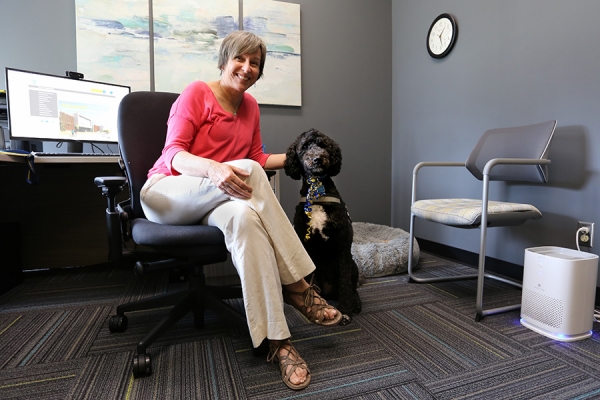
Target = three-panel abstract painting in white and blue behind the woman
(113,43)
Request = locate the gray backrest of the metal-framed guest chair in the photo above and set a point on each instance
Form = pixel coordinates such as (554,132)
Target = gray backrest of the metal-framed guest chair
(531,141)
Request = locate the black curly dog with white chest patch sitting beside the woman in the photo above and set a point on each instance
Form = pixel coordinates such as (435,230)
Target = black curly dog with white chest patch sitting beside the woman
(322,220)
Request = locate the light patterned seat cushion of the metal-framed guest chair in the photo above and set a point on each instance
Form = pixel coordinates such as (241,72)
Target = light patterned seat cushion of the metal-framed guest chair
(467,212)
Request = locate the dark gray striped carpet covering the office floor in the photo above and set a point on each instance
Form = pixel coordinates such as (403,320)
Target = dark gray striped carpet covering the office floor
(411,341)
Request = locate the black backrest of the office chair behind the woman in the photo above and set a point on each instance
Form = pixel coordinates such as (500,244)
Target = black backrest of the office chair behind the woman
(142,125)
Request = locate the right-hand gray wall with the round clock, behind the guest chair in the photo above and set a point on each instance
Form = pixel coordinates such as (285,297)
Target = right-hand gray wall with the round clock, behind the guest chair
(515,62)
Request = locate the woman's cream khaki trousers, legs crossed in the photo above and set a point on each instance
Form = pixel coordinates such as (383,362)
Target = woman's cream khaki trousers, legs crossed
(264,247)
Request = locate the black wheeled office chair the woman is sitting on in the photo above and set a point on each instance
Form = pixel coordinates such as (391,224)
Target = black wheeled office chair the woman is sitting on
(142,125)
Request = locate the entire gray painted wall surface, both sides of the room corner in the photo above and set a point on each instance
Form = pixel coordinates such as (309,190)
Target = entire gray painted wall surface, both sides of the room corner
(515,62)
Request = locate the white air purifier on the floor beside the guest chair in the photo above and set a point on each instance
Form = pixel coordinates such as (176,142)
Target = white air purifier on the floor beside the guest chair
(559,290)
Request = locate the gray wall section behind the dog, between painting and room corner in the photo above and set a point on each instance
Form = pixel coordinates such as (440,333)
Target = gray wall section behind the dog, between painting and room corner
(346,93)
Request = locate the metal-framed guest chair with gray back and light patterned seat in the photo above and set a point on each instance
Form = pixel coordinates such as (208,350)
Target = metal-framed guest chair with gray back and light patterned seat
(504,154)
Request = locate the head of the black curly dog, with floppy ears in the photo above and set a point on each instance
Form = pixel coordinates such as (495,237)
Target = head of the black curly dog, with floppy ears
(313,154)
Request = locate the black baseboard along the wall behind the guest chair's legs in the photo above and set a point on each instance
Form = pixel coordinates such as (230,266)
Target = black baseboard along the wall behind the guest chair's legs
(500,267)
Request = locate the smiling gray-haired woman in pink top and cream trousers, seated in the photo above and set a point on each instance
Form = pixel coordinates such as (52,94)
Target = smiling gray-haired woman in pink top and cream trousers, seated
(212,171)
